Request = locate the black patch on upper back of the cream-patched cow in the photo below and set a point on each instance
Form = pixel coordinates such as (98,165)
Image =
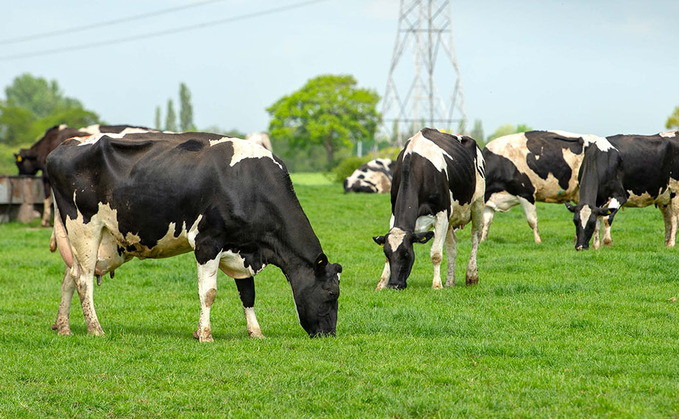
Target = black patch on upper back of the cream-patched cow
(546,155)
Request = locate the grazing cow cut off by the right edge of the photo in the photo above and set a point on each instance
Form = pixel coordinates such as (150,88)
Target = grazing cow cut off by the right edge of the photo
(626,171)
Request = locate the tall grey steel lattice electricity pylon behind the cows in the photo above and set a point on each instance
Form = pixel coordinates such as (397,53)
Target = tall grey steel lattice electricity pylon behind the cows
(412,99)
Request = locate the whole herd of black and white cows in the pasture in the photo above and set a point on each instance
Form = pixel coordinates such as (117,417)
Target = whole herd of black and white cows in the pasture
(122,192)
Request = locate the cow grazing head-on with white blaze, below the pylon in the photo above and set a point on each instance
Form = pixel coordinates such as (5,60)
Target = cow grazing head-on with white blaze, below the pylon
(438,182)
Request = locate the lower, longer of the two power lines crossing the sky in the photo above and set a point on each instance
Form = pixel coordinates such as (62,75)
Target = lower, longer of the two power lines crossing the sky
(161,33)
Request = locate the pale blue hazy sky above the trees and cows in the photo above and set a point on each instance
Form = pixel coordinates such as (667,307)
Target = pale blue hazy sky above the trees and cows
(601,67)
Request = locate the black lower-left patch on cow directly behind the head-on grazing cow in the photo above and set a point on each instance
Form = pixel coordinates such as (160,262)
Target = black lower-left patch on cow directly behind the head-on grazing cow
(503,175)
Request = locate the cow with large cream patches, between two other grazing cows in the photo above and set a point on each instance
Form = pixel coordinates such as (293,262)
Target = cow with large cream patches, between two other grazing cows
(527,167)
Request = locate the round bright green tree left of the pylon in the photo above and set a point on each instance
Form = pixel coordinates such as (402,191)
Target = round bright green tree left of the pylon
(328,110)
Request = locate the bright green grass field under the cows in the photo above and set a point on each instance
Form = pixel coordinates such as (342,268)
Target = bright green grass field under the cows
(547,332)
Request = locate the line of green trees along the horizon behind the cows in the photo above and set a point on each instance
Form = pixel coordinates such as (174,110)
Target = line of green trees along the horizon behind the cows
(312,128)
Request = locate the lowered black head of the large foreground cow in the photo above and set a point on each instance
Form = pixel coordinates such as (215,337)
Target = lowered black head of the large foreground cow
(317,301)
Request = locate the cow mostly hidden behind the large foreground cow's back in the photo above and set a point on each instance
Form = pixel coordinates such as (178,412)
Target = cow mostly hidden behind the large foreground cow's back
(31,161)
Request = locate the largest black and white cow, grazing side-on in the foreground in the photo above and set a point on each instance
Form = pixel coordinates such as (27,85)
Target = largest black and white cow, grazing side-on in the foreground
(155,195)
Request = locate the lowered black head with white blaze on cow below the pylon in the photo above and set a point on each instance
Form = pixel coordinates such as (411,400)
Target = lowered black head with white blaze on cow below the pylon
(398,248)
